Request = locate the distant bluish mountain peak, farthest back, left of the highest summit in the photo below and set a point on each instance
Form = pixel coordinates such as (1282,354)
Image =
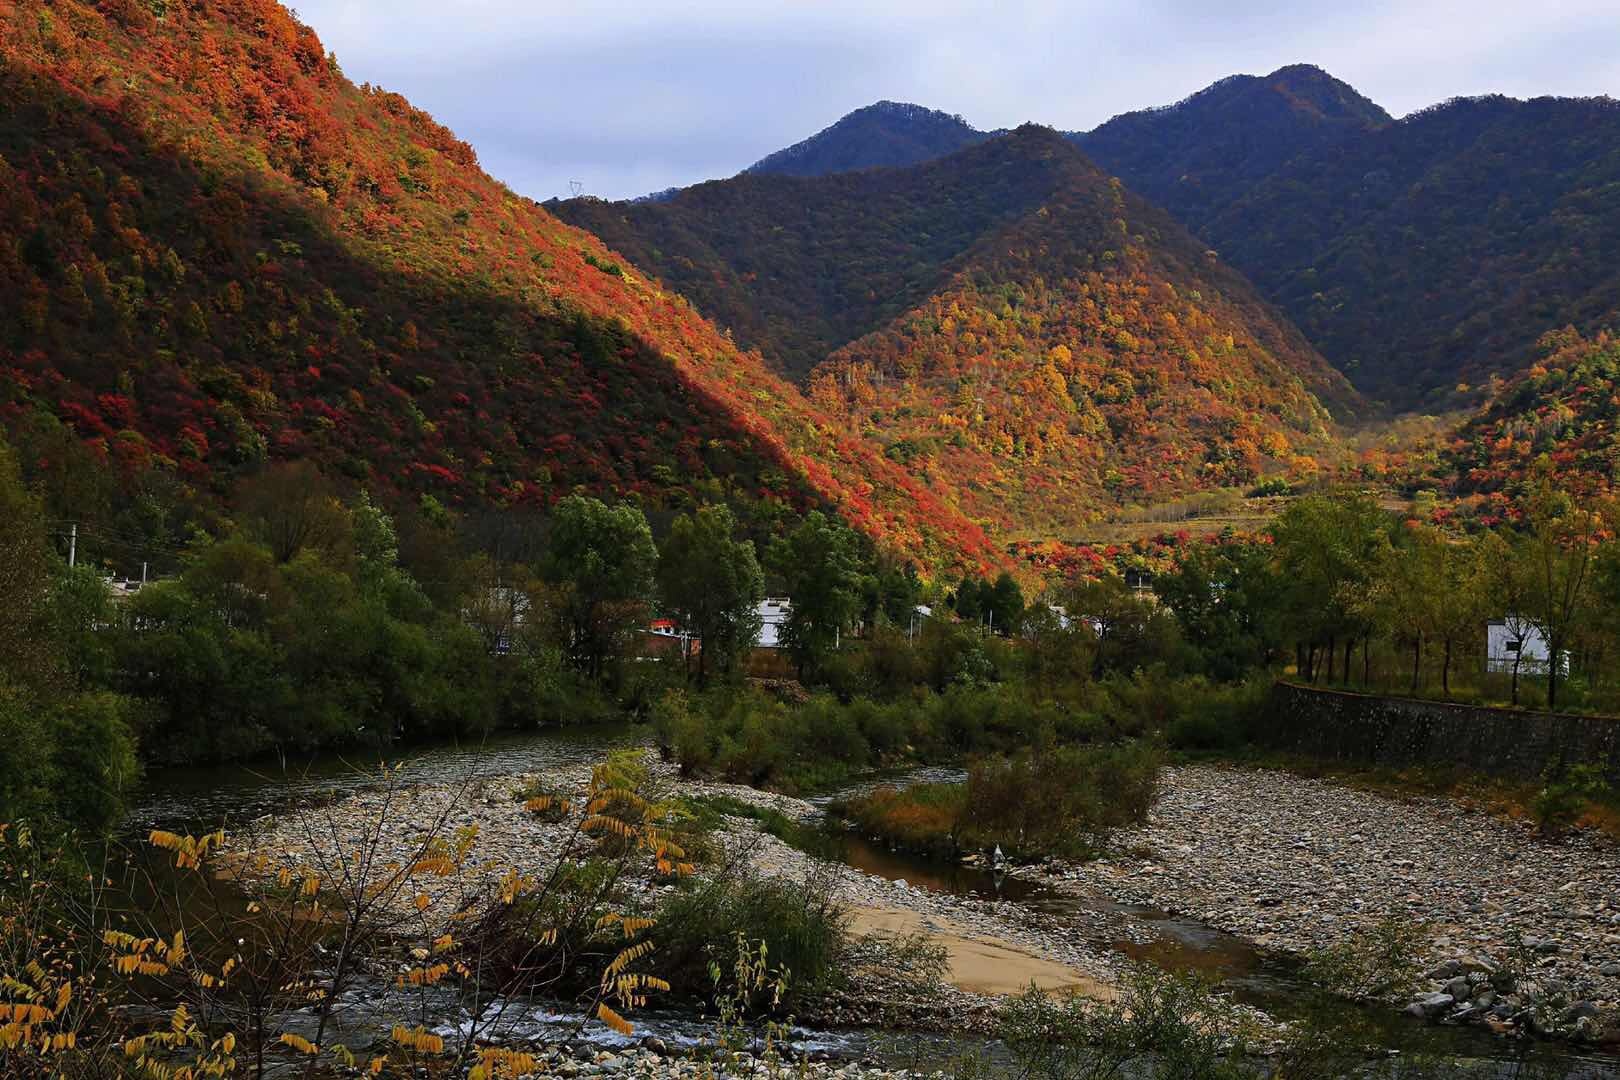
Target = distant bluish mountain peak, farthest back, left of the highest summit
(880,135)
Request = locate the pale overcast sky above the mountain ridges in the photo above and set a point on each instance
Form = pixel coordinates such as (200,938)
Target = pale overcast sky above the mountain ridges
(637,96)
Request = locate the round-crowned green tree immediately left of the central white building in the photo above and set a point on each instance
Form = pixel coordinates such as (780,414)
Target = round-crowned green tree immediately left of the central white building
(712,582)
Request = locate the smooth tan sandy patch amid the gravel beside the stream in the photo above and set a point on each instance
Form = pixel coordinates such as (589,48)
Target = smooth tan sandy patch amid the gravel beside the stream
(979,963)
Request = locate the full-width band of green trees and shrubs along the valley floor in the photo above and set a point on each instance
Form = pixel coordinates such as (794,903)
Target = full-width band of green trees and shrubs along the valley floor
(317,618)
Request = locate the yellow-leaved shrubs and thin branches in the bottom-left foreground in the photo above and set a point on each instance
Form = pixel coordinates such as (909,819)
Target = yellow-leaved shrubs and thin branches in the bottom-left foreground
(213,958)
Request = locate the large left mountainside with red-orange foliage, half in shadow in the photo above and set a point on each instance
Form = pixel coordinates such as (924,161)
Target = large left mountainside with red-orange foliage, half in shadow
(216,250)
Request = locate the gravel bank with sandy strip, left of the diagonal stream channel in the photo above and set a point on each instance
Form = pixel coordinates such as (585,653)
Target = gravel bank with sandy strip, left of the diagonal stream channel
(992,946)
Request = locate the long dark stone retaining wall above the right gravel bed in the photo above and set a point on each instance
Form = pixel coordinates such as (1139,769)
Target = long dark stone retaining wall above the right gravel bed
(1402,733)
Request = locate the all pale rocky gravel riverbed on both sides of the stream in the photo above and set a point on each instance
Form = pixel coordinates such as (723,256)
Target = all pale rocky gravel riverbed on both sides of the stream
(1519,933)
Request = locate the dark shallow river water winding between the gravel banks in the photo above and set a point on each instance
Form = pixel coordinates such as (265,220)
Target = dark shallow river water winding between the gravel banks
(226,796)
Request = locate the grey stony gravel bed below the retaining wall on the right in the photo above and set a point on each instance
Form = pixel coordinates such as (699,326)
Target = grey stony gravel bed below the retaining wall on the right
(1520,933)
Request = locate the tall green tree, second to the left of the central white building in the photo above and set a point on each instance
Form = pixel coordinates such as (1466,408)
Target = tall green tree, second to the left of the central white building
(605,561)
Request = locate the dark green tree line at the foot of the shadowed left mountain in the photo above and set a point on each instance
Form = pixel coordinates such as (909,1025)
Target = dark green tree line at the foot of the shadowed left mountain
(315,618)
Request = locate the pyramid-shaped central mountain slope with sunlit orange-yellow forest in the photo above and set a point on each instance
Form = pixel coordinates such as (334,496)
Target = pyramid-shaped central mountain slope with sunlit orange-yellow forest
(1086,354)
